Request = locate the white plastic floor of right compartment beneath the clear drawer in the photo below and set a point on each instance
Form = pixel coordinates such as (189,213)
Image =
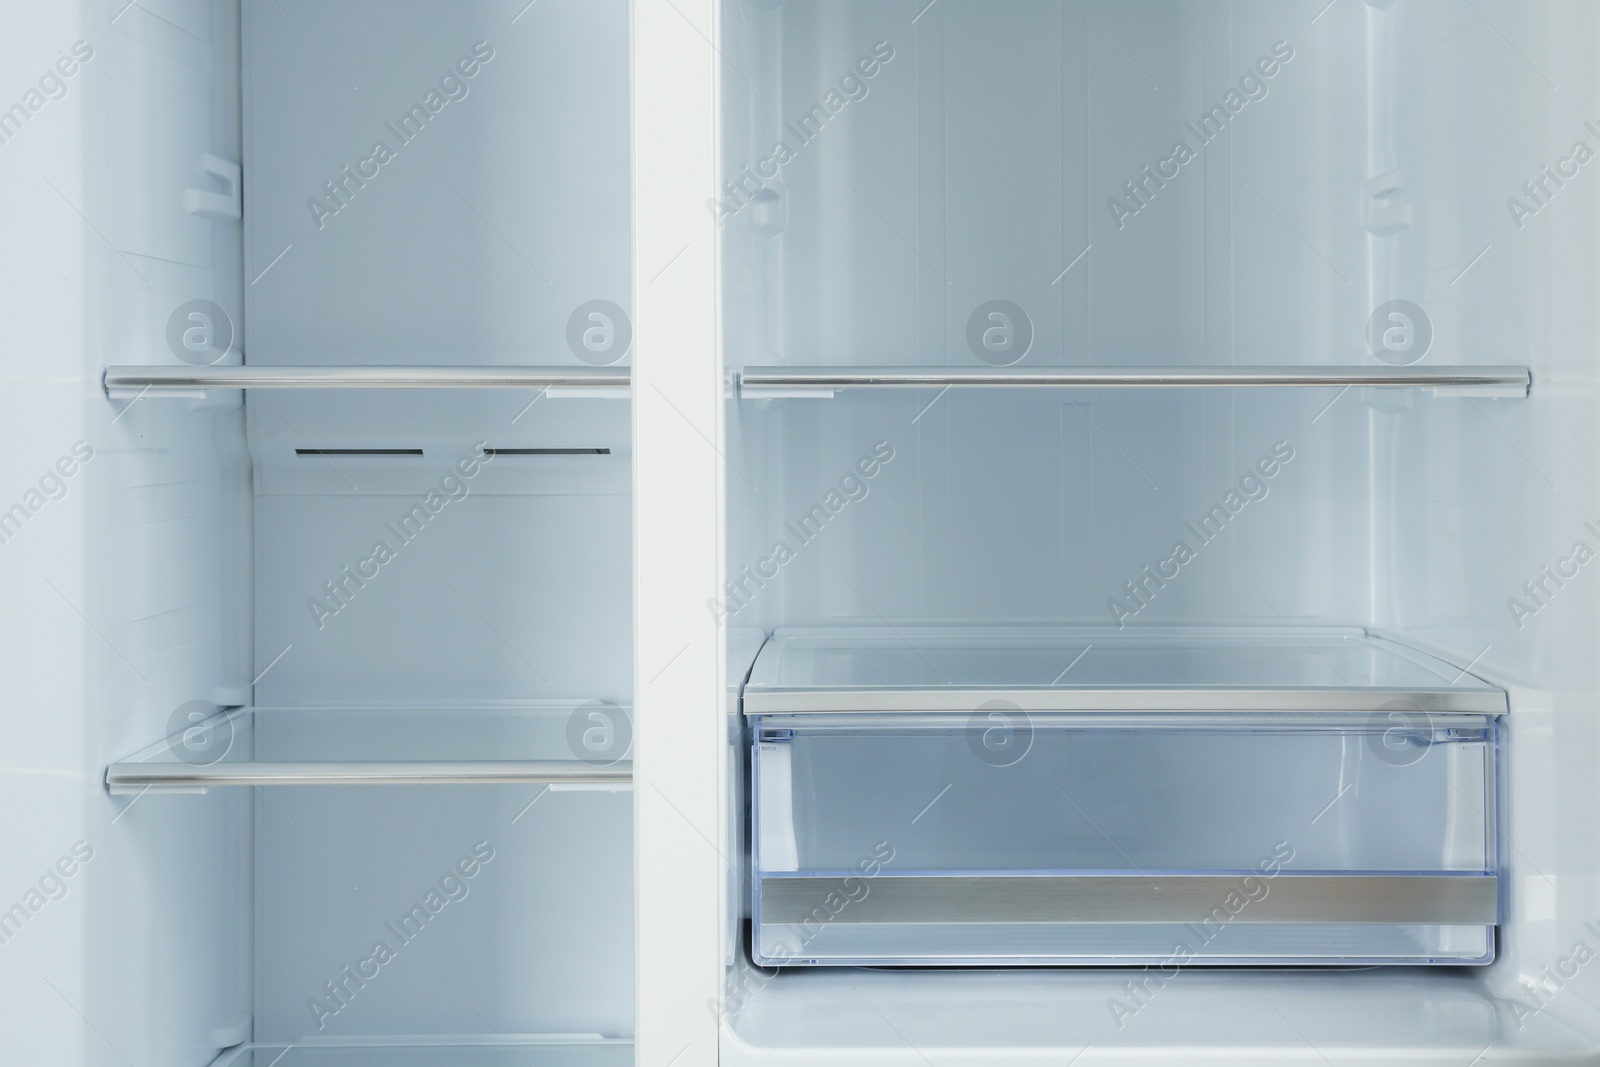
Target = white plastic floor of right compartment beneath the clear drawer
(1199,1017)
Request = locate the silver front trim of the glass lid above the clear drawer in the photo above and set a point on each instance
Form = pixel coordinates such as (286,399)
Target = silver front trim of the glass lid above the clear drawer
(825,701)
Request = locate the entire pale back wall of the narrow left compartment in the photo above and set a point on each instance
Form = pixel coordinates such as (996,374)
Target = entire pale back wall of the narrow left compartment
(474,246)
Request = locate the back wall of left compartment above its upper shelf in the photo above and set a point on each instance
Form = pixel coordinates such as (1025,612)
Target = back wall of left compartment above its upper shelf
(486,231)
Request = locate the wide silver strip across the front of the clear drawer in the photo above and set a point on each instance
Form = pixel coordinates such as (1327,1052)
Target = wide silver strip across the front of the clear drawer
(1292,898)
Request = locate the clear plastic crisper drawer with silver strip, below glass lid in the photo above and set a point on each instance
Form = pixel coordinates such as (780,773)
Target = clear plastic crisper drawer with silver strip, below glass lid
(1010,837)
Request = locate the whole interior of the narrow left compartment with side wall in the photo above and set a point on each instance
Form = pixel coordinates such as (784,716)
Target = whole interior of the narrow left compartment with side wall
(422,577)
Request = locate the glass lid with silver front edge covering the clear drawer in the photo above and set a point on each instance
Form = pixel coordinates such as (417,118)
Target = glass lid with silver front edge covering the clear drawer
(1097,669)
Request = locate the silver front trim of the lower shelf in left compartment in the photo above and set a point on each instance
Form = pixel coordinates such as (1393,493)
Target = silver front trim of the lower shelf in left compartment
(129,775)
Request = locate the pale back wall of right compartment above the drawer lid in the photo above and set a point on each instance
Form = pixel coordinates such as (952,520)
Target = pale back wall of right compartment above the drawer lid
(977,169)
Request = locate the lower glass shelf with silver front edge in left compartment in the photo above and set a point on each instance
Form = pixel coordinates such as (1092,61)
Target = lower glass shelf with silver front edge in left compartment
(580,745)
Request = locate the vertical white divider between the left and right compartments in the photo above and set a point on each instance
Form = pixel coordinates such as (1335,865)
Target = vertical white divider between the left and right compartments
(678,537)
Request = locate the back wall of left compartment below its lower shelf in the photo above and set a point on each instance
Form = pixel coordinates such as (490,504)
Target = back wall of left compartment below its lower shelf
(538,941)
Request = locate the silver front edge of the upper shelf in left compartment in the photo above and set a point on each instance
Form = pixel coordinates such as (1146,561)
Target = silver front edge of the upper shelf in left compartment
(193,382)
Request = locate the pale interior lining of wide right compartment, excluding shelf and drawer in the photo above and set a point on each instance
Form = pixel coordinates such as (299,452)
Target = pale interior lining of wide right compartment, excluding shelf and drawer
(897,169)
